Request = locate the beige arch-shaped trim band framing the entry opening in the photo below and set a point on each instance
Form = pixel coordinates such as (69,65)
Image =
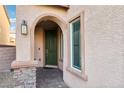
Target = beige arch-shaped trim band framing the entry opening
(61,24)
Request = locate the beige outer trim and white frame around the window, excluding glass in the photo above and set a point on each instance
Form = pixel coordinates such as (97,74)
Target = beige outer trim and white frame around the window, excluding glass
(78,73)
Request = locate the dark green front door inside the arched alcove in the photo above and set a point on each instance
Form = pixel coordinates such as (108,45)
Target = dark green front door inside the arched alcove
(51,48)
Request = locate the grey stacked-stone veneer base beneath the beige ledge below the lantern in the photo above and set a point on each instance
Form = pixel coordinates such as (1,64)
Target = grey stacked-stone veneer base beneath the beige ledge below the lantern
(25,77)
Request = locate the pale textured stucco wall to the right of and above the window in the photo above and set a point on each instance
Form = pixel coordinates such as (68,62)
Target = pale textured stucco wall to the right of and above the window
(104,46)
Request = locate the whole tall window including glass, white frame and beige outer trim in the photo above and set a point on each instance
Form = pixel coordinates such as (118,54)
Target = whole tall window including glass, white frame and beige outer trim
(76,64)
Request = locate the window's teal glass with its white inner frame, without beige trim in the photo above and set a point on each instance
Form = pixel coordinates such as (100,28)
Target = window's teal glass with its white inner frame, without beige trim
(75,44)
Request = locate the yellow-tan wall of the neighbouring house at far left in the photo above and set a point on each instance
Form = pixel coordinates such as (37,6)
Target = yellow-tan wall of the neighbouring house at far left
(4,27)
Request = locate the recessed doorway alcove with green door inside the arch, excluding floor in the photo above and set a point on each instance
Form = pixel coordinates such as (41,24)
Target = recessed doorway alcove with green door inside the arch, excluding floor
(48,44)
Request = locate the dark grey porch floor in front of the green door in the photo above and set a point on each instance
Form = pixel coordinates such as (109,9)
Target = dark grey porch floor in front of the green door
(49,78)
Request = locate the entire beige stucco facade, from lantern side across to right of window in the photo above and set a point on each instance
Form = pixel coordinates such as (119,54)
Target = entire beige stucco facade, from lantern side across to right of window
(103,33)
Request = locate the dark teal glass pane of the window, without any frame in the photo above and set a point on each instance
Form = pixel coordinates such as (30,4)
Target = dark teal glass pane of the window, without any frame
(76,44)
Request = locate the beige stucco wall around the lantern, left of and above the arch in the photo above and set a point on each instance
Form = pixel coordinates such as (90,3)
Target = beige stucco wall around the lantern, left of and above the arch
(25,13)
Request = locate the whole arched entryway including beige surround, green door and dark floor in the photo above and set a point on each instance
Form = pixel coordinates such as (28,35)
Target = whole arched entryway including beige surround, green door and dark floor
(48,49)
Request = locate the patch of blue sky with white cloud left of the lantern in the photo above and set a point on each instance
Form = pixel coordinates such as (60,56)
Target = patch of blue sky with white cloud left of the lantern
(11,10)
